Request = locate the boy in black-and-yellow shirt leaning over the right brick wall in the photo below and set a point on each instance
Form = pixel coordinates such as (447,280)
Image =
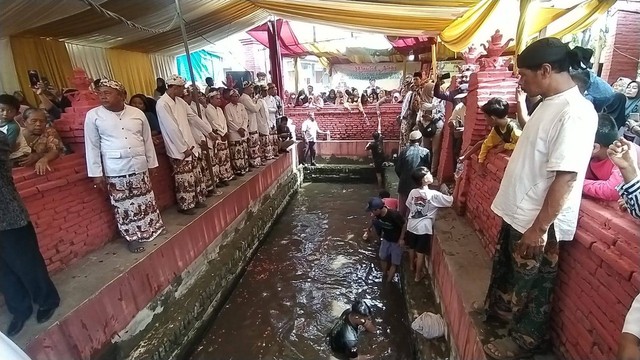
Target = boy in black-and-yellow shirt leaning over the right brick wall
(504,131)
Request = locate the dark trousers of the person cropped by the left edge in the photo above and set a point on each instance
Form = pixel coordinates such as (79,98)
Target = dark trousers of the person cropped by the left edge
(23,274)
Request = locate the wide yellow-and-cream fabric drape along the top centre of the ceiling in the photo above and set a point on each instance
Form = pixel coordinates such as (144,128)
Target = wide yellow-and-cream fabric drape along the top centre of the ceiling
(385,18)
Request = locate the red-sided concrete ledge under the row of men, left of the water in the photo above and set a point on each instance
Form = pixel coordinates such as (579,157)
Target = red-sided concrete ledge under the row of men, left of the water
(104,291)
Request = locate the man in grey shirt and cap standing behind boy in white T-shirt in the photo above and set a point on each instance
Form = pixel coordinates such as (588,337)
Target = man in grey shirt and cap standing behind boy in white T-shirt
(410,158)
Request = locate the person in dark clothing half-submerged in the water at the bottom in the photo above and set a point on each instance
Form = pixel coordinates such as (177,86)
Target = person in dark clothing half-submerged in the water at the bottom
(343,337)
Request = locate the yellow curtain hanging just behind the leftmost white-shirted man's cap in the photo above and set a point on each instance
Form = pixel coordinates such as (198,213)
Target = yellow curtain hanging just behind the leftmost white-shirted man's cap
(134,70)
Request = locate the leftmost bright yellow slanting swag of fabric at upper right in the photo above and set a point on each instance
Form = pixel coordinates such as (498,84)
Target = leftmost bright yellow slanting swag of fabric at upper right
(459,34)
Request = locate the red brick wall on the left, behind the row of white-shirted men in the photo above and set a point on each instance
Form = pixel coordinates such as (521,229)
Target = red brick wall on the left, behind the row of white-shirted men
(70,216)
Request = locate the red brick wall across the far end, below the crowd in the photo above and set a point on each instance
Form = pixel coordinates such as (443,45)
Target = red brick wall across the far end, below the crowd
(344,125)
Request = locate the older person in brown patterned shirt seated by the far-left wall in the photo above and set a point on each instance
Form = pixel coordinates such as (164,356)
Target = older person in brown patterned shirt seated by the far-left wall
(44,141)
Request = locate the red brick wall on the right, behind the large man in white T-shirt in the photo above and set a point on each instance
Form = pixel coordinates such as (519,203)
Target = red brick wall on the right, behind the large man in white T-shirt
(599,274)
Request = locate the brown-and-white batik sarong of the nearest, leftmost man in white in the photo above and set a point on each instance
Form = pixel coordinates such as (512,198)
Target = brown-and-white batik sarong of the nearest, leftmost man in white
(135,206)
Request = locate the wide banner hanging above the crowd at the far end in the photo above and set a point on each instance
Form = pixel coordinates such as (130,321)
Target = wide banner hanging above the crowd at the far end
(388,76)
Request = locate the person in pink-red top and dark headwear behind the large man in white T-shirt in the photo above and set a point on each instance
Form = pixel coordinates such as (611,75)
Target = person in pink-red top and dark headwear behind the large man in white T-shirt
(602,175)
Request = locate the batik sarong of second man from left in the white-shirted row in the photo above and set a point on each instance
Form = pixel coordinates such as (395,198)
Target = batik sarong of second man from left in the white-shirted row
(189,185)
